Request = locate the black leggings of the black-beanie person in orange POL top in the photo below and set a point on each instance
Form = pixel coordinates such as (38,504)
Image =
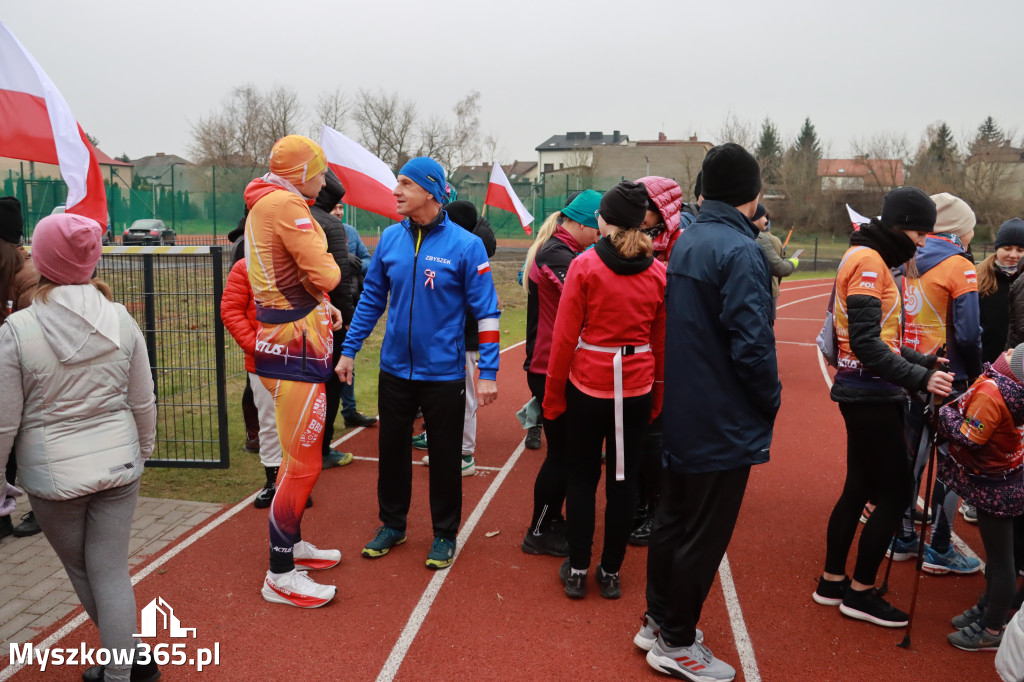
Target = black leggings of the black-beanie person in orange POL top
(878,470)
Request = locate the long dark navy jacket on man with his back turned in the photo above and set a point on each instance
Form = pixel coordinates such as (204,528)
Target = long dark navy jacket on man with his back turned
(721,374)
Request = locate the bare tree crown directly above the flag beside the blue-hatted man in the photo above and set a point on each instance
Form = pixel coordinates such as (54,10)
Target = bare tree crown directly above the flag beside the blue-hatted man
(386,123)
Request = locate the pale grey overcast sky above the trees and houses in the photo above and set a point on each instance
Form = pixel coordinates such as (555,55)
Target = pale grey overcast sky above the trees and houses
(137,74)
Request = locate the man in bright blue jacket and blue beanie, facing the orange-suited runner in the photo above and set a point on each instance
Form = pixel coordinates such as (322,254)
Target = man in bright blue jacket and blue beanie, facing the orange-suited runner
(434,272)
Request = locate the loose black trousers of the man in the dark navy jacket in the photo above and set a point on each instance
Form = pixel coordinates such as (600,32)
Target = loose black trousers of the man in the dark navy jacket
(694,525)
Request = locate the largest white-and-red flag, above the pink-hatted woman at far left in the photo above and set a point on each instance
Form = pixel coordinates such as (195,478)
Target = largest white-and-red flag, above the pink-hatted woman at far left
(36,124)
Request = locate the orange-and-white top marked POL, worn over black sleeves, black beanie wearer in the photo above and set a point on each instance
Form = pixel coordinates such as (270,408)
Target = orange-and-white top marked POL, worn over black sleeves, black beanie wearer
(864,273)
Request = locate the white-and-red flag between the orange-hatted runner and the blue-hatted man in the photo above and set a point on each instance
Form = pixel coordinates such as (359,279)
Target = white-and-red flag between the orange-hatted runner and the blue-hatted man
(369,183)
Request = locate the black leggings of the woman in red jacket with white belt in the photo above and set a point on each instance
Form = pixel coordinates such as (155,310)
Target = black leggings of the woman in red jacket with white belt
(590,421)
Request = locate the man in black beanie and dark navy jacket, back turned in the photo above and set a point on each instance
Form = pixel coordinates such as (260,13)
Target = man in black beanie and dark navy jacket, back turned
(721,397)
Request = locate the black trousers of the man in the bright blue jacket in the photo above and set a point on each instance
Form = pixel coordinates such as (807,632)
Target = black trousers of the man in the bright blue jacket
(444,405)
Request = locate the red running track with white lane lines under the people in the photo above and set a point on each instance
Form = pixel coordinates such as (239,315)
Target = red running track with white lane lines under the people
(499,614)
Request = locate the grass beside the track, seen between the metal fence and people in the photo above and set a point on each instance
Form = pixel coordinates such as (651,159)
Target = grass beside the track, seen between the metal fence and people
(246,475)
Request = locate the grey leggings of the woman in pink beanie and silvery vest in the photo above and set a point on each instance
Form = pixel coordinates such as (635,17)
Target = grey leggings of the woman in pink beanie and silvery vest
(91,537)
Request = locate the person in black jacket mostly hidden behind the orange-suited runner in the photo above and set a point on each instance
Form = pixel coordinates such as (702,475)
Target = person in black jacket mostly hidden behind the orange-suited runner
(343,297)
